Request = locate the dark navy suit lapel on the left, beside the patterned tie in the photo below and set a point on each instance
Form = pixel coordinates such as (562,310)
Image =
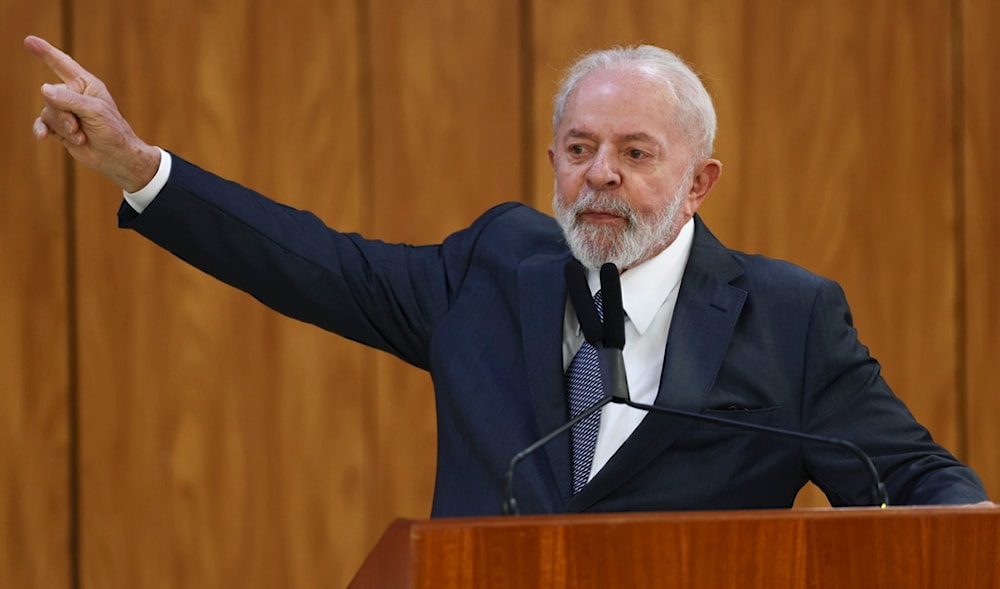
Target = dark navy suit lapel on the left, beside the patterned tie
(542,299)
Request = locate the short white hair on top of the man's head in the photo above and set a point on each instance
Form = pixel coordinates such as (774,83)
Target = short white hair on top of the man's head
(695,111)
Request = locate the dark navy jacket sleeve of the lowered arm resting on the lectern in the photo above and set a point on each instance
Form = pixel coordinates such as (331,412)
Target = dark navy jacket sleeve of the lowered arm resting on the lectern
(846,397)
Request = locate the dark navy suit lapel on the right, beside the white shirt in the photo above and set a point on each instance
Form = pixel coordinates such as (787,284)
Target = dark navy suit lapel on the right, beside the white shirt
(708,307)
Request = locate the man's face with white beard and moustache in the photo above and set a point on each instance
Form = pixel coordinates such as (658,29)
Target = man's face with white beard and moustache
(626,178)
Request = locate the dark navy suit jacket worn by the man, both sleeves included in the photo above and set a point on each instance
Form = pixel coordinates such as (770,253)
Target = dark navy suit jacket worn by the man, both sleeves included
(752,338)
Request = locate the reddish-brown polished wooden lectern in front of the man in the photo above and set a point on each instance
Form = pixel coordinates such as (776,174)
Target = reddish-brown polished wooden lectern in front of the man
(926,547)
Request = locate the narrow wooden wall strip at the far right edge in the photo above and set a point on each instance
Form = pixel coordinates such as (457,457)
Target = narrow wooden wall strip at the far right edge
(982,217)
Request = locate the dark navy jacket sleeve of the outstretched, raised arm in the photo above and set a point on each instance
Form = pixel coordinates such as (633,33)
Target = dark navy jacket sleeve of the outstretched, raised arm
(387,296)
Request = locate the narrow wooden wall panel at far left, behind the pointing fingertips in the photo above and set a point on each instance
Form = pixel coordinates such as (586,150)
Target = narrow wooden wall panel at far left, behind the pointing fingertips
(35,454)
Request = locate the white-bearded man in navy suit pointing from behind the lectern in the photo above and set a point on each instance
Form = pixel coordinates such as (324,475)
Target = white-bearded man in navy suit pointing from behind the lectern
(708,329)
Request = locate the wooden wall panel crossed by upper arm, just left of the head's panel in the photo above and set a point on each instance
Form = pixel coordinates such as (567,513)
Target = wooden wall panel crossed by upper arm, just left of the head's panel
(446,141)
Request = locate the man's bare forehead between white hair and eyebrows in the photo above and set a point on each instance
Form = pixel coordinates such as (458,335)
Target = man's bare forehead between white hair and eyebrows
(619,103)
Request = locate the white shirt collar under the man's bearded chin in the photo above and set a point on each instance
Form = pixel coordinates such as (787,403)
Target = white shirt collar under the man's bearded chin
(646,287)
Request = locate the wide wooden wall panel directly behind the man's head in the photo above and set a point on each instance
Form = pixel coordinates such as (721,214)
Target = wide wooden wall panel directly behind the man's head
(835,131)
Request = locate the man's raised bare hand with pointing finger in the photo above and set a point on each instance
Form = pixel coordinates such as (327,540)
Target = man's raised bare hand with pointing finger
(80,112)
